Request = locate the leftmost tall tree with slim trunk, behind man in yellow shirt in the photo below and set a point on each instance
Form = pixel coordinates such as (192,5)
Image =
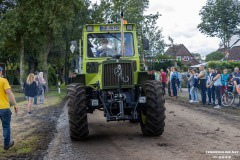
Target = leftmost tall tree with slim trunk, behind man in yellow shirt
(13,28)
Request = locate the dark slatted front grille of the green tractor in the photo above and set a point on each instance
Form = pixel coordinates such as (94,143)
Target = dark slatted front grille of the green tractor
(110,79)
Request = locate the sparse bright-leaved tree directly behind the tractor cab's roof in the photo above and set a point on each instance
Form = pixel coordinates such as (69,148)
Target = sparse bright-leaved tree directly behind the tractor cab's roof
(134,13)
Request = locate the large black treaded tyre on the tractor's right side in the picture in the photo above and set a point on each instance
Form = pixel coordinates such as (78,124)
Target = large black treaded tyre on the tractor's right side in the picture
(152,116)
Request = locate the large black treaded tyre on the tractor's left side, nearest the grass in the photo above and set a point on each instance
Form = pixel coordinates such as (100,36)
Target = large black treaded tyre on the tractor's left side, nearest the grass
(77,111)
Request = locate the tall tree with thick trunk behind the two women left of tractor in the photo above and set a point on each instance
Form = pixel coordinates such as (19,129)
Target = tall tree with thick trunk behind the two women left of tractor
(49,19)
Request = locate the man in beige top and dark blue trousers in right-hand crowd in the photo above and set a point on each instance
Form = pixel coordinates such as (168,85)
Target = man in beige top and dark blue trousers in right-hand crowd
(202,85)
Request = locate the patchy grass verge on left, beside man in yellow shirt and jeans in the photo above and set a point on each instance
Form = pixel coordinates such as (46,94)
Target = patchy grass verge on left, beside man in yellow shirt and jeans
(32,132)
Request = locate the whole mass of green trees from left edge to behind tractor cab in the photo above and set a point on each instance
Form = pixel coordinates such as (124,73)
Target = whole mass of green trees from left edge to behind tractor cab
(35,32)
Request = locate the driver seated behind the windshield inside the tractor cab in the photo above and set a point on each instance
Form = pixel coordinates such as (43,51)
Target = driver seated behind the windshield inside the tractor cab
(104,50)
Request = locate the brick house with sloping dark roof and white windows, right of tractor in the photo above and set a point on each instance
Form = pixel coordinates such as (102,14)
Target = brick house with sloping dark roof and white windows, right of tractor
(181,53)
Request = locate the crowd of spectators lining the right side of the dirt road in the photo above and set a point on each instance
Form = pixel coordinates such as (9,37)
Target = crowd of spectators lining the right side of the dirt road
(210,84)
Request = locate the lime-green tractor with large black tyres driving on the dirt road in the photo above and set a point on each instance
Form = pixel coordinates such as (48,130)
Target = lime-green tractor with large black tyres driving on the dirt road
(109,79)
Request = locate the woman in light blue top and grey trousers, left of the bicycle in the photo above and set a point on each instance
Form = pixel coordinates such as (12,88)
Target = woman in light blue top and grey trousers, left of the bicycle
(217,83)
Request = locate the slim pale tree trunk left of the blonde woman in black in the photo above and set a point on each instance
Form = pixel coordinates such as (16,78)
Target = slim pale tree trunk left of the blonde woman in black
(21,63)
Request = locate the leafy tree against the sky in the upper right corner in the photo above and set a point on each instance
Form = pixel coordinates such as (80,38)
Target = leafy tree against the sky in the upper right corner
(220,18)
